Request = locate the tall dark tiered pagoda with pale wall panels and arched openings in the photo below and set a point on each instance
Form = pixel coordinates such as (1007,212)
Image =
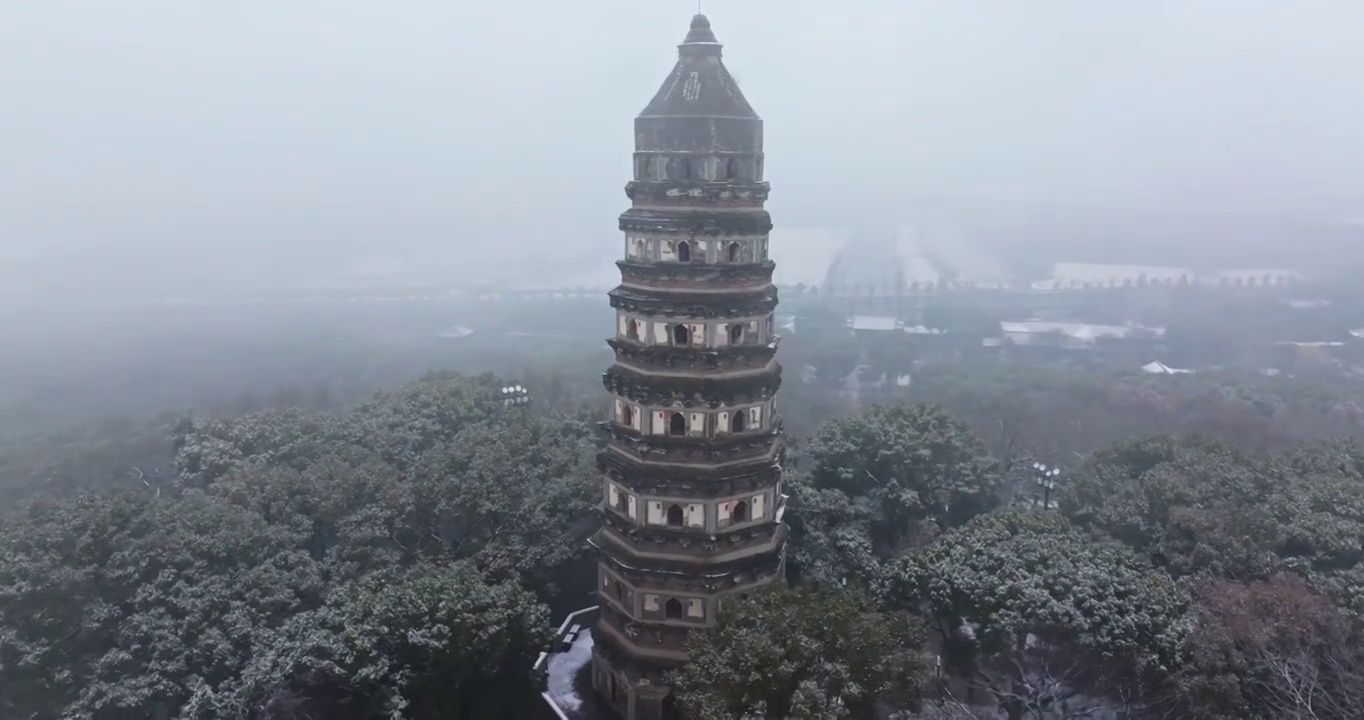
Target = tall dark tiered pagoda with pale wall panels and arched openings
(692,497)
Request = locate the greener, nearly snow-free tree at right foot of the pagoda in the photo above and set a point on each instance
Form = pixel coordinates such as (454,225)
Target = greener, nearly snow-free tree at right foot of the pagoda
(803,655)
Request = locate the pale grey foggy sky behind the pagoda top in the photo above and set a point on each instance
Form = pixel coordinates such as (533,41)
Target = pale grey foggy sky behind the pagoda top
(166,141)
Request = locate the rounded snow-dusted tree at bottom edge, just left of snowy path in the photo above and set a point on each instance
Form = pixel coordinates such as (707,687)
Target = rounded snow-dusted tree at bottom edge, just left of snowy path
(421,644)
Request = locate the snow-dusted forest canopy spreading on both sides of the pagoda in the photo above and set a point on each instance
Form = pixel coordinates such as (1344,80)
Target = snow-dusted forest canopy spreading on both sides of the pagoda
(406,557)
